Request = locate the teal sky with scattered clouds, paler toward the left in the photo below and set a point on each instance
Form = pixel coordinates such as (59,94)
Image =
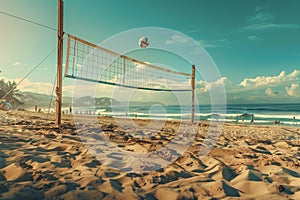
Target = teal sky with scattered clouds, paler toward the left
(254,44)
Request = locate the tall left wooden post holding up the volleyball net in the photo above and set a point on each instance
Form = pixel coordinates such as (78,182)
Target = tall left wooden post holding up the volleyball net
(60,34)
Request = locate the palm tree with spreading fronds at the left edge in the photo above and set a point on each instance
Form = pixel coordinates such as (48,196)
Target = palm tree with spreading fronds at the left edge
(10,90)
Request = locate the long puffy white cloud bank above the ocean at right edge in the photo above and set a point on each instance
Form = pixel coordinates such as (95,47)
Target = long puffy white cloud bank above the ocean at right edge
(270,80)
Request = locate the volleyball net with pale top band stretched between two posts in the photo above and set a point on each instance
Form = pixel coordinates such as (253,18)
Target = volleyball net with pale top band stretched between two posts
(89,62)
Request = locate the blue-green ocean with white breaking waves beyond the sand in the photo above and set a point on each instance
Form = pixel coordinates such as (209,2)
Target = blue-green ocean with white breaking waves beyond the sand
(262,113)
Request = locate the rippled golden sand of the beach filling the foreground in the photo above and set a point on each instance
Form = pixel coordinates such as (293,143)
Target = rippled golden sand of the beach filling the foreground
(40,161)
